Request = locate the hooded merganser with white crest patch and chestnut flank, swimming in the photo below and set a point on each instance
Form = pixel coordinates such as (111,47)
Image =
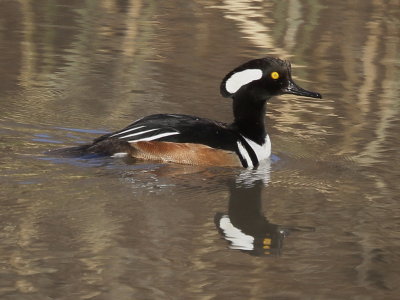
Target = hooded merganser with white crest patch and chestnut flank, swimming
(197,141)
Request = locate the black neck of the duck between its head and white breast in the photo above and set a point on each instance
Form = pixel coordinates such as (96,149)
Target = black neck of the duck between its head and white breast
(249,115)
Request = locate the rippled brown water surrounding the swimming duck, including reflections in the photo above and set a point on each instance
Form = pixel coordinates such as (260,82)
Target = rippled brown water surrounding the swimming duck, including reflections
(321,221)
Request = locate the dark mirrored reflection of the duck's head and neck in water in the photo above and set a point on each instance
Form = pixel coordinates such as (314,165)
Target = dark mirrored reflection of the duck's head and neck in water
(245,226)
